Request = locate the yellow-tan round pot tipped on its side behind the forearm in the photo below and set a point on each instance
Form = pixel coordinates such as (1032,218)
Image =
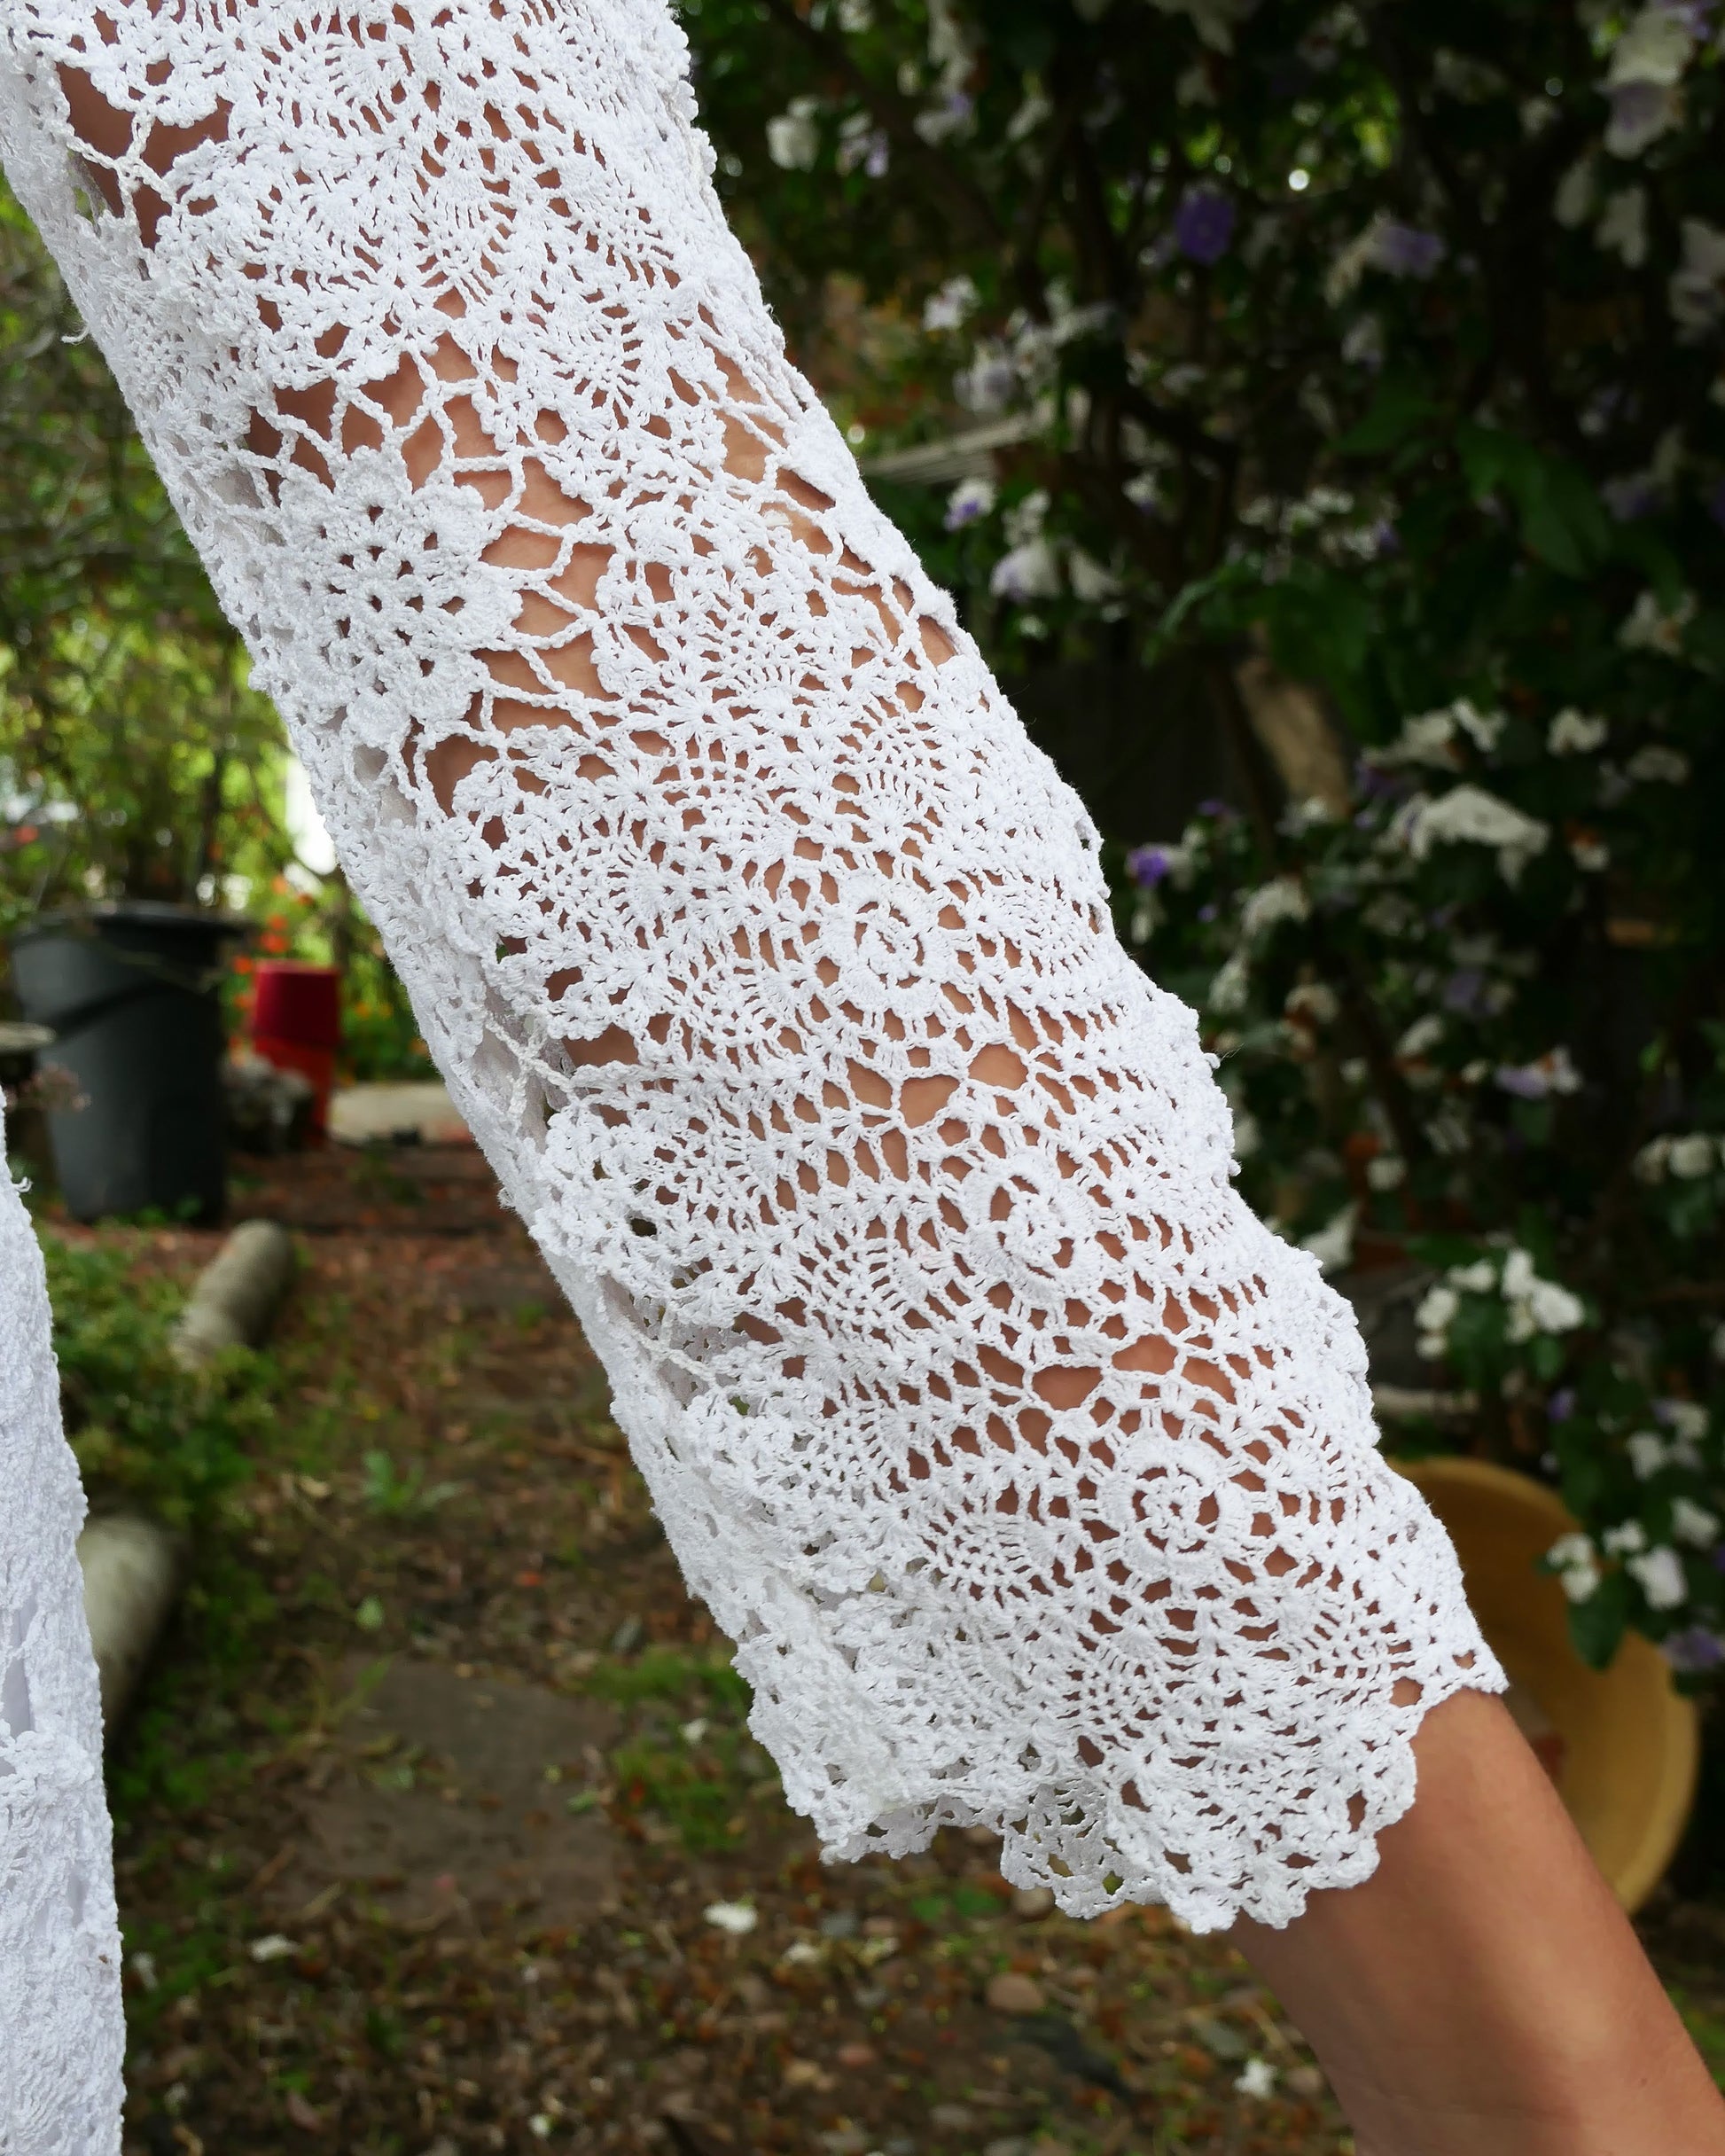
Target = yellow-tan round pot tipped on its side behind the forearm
(1623,1743)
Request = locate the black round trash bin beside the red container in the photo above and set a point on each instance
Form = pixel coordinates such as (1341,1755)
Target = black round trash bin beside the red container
(133,995)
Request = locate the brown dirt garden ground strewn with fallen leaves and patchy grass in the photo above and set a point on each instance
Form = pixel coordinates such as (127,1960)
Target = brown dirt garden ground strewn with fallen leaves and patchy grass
(441,1827)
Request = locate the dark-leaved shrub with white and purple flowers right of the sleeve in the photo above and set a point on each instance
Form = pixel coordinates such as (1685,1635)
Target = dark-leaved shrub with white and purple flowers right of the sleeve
(1379,350)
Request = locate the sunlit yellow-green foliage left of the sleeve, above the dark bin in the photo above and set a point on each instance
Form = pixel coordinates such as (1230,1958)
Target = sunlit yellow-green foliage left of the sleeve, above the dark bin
(135,760)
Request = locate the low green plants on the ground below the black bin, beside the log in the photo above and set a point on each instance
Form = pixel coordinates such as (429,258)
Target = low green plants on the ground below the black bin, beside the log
(139,1424)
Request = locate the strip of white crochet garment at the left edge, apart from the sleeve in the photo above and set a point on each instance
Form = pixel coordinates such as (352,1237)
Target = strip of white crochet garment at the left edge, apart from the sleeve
(59,1944)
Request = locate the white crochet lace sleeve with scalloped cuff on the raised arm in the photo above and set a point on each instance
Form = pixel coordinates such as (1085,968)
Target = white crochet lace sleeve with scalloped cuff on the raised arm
(767,956)
